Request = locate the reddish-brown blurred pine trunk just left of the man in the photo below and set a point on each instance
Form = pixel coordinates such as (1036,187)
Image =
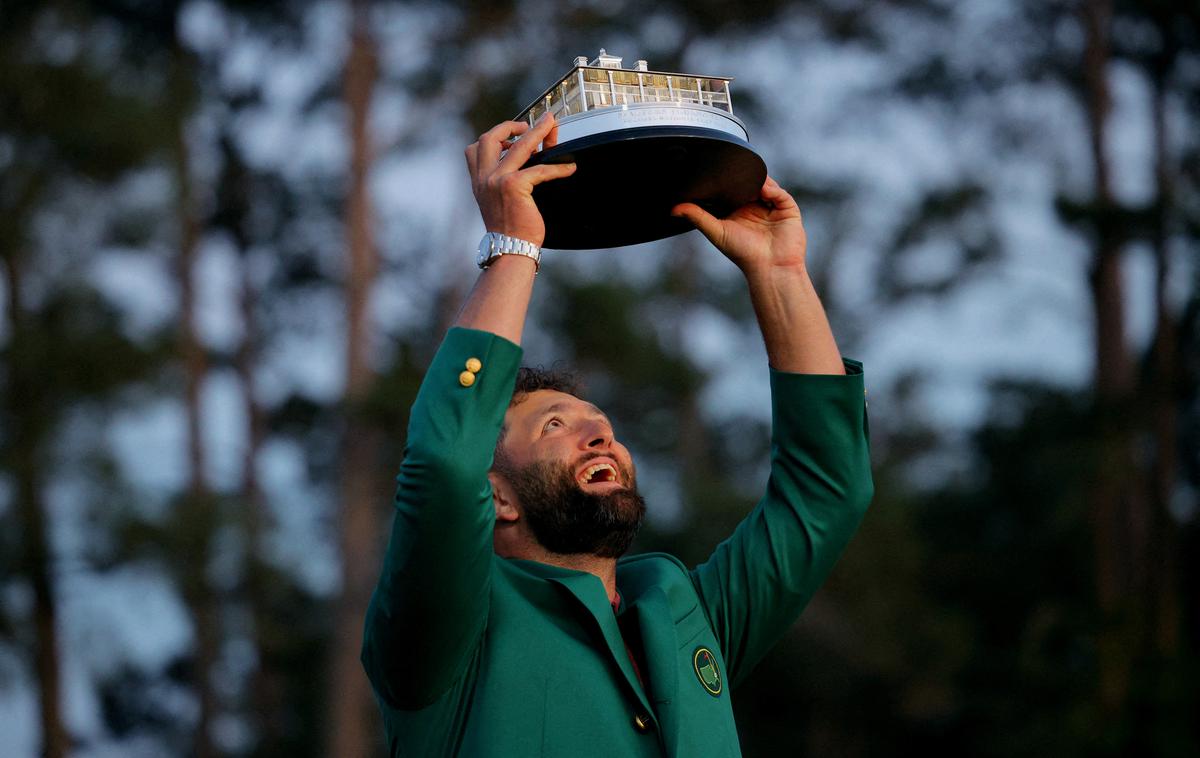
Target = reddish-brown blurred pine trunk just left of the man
(352,725)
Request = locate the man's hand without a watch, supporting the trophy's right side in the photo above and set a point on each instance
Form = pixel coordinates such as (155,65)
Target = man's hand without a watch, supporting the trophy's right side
(763,234)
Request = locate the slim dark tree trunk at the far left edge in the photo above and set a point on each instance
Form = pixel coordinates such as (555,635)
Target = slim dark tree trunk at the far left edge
(37,561)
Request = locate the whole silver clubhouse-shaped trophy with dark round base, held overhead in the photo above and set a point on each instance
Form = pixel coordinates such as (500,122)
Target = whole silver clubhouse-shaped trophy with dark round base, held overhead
(643,142)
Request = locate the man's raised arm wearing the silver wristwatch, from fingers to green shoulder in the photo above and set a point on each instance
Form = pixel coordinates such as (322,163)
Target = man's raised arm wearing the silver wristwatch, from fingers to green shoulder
(431,604)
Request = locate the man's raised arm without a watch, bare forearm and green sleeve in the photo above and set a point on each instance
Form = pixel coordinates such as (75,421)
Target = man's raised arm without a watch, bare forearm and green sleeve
(757,582)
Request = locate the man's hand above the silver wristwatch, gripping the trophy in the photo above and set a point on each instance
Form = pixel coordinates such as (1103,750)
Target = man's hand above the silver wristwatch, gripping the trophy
(503,190)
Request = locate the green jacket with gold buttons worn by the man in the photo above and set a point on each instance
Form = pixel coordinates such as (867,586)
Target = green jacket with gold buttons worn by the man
(476,655)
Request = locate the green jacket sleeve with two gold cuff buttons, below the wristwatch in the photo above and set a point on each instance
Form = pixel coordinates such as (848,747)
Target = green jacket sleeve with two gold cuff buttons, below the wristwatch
(431,604)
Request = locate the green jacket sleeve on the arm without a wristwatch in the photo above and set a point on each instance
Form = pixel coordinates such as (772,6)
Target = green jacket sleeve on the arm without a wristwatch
(759,580)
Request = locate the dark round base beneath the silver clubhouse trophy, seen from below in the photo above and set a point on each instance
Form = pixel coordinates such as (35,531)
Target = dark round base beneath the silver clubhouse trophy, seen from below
(628,181)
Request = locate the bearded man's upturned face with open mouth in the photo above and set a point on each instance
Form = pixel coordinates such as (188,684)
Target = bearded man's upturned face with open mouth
(575,485)
